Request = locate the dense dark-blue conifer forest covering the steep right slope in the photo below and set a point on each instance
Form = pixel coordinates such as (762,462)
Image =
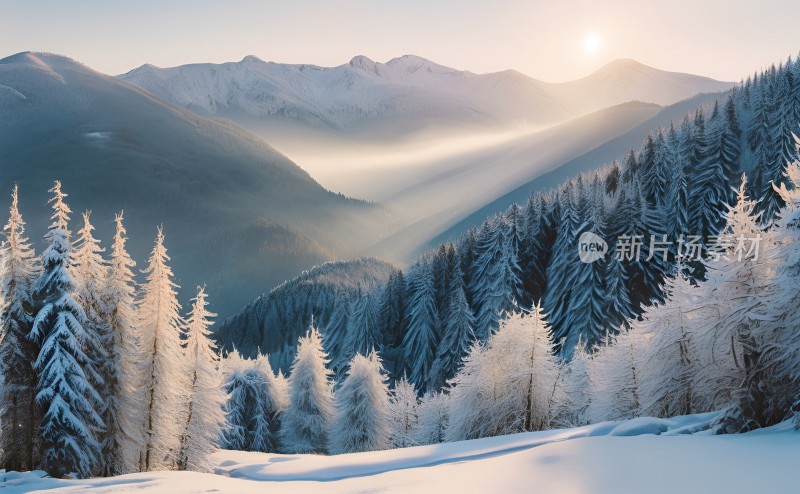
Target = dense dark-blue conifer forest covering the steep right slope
(674,190)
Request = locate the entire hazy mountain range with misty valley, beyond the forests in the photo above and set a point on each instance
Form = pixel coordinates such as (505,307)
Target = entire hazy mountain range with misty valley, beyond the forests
(191,147)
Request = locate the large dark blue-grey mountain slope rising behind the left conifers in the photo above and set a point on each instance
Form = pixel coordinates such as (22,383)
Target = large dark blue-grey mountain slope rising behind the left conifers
(237,215)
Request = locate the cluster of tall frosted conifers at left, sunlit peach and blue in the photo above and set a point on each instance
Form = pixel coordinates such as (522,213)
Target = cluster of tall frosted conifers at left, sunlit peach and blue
(101,376)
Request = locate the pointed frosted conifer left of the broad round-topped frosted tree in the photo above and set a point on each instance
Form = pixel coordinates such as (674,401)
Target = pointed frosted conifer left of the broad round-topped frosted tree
(307,419)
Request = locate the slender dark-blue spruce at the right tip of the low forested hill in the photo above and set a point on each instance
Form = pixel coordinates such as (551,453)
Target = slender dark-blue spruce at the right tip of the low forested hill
(421,339)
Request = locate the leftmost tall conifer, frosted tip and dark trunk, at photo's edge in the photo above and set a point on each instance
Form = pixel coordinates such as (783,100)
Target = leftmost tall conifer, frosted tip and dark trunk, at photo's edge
(18,414)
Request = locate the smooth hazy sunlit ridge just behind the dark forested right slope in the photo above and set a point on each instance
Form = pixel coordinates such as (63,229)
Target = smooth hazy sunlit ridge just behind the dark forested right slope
(466,183)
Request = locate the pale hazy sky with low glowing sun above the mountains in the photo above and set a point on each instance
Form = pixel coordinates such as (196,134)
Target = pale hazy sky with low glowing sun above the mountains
(554,41)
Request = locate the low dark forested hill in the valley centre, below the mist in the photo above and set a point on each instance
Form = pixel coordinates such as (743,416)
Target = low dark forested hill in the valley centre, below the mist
(273,322)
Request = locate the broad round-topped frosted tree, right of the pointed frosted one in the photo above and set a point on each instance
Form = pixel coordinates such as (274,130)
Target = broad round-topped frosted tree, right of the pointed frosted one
(362,419)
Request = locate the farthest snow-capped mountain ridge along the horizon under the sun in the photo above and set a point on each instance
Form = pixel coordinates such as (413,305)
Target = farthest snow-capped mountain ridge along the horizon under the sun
(361,94)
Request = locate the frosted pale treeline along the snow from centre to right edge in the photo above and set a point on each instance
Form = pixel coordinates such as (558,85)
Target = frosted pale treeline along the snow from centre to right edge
(728,343)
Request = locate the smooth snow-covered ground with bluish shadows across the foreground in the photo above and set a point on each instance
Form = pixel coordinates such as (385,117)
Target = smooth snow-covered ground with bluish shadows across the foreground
(638,456)
